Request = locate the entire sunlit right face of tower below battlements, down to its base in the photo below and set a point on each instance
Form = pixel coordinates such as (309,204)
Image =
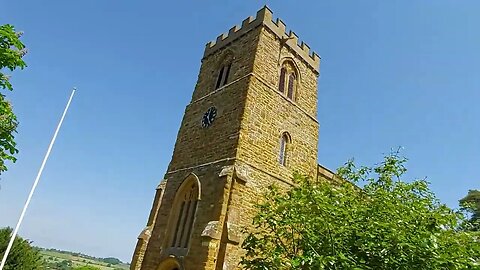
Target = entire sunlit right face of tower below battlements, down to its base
(267,114)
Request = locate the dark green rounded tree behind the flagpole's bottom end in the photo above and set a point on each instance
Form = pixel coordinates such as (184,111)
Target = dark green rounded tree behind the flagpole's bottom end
(22,256)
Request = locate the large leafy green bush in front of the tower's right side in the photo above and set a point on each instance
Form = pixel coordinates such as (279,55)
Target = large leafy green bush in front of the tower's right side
(389,224)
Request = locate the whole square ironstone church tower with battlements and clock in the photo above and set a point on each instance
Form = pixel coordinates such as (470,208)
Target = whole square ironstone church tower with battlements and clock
(251,122)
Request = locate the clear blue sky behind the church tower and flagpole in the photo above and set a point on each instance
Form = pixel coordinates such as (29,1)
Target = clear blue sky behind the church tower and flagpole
(393,73)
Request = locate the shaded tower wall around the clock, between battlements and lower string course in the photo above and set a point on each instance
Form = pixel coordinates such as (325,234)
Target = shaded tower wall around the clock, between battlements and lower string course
(196,145)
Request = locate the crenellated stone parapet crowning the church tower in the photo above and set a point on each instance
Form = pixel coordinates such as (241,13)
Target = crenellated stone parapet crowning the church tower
(265,17)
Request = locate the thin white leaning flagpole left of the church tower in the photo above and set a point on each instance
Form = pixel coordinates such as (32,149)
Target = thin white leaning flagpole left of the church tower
(14,234)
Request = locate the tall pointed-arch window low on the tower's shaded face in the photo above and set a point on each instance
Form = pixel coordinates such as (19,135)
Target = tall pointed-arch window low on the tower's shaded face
(186,205)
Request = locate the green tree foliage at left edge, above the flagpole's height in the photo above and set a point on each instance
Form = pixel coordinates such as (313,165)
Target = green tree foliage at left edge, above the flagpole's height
(12,51)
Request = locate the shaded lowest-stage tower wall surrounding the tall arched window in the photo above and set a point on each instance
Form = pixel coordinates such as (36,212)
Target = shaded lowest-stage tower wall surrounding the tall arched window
(213,197)
